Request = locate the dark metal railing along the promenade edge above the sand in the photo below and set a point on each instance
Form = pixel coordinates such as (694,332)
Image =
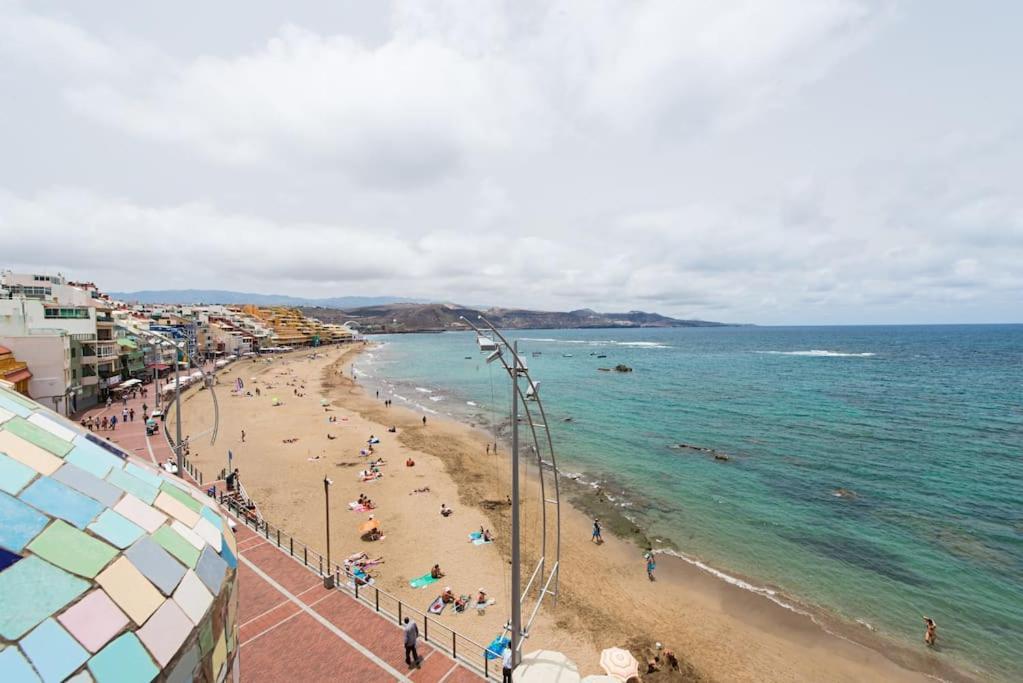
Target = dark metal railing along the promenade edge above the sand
(463,650)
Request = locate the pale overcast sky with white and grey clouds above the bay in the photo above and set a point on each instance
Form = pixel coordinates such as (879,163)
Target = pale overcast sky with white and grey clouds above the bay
(783,162)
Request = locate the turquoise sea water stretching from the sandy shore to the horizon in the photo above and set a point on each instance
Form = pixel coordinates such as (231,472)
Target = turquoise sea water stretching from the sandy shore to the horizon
(921,426)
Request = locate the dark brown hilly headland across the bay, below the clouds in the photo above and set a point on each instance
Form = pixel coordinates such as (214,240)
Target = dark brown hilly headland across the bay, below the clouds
(440,317)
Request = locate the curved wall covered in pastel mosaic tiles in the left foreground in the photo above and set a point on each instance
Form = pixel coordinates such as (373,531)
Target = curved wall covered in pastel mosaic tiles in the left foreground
(110,569)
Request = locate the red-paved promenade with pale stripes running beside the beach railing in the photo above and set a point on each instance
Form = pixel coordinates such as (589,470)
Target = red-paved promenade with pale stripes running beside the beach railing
(290,627)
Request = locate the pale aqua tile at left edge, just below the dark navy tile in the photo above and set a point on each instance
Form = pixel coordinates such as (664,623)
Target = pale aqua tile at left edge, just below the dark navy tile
(31,591)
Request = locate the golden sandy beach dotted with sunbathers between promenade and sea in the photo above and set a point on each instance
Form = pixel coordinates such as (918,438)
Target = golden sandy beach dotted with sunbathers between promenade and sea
(722,631)
